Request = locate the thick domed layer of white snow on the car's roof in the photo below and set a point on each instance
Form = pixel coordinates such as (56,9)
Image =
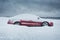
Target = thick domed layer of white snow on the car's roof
(26,17)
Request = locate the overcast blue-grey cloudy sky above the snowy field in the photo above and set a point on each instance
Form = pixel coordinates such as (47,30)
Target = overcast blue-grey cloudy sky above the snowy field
(38,7)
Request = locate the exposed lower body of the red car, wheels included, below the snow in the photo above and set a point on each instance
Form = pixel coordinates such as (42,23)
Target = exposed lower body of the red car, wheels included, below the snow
(31,23)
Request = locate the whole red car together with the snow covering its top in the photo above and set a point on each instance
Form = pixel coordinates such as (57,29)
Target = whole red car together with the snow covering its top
(30,20)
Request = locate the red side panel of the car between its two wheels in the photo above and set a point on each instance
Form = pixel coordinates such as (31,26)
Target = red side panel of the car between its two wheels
(30,23)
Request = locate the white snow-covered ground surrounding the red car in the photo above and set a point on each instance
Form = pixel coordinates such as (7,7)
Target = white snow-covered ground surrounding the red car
(16,32)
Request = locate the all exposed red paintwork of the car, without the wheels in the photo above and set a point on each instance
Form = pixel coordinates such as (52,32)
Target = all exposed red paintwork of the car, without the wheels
(30,23)
